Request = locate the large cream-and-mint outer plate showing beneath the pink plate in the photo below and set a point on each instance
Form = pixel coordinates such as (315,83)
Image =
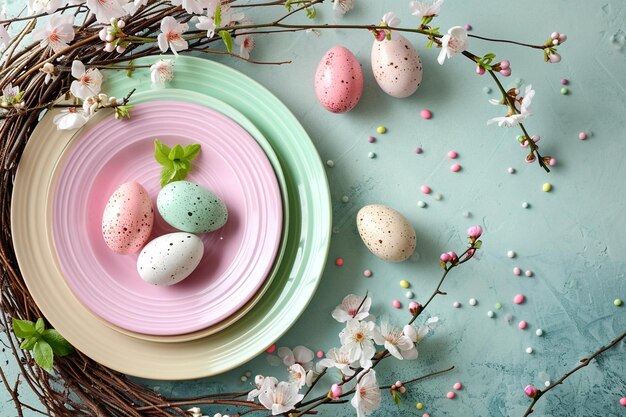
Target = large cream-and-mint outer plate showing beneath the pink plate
(297,275)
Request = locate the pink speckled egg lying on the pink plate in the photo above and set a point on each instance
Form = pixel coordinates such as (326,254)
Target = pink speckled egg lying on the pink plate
(127,219)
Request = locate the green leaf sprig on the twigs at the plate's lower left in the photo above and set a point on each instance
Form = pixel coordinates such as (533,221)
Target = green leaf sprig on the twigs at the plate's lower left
(44,343)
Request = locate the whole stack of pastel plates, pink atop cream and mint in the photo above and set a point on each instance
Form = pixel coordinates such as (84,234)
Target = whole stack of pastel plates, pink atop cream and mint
(258,272)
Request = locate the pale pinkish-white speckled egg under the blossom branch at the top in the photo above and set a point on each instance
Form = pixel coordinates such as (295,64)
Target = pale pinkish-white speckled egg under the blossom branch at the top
(396,65)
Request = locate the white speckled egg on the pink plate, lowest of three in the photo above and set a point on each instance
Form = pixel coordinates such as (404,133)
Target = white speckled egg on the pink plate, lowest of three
(169,259)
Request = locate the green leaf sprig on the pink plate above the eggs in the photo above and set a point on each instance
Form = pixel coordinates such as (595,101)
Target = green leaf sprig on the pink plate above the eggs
(175,162)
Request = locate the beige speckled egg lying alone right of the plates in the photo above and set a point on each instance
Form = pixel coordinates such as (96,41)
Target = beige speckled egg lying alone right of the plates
(386,232)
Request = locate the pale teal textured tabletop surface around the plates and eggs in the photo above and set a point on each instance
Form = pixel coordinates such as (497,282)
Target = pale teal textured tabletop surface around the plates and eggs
(572,238)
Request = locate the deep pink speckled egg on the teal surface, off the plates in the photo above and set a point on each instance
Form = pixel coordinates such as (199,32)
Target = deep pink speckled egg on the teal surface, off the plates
(339,80)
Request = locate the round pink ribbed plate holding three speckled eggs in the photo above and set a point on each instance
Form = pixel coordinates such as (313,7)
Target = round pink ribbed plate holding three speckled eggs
(237,257)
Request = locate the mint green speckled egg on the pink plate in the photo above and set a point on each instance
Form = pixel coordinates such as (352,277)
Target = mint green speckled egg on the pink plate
(191,208)
